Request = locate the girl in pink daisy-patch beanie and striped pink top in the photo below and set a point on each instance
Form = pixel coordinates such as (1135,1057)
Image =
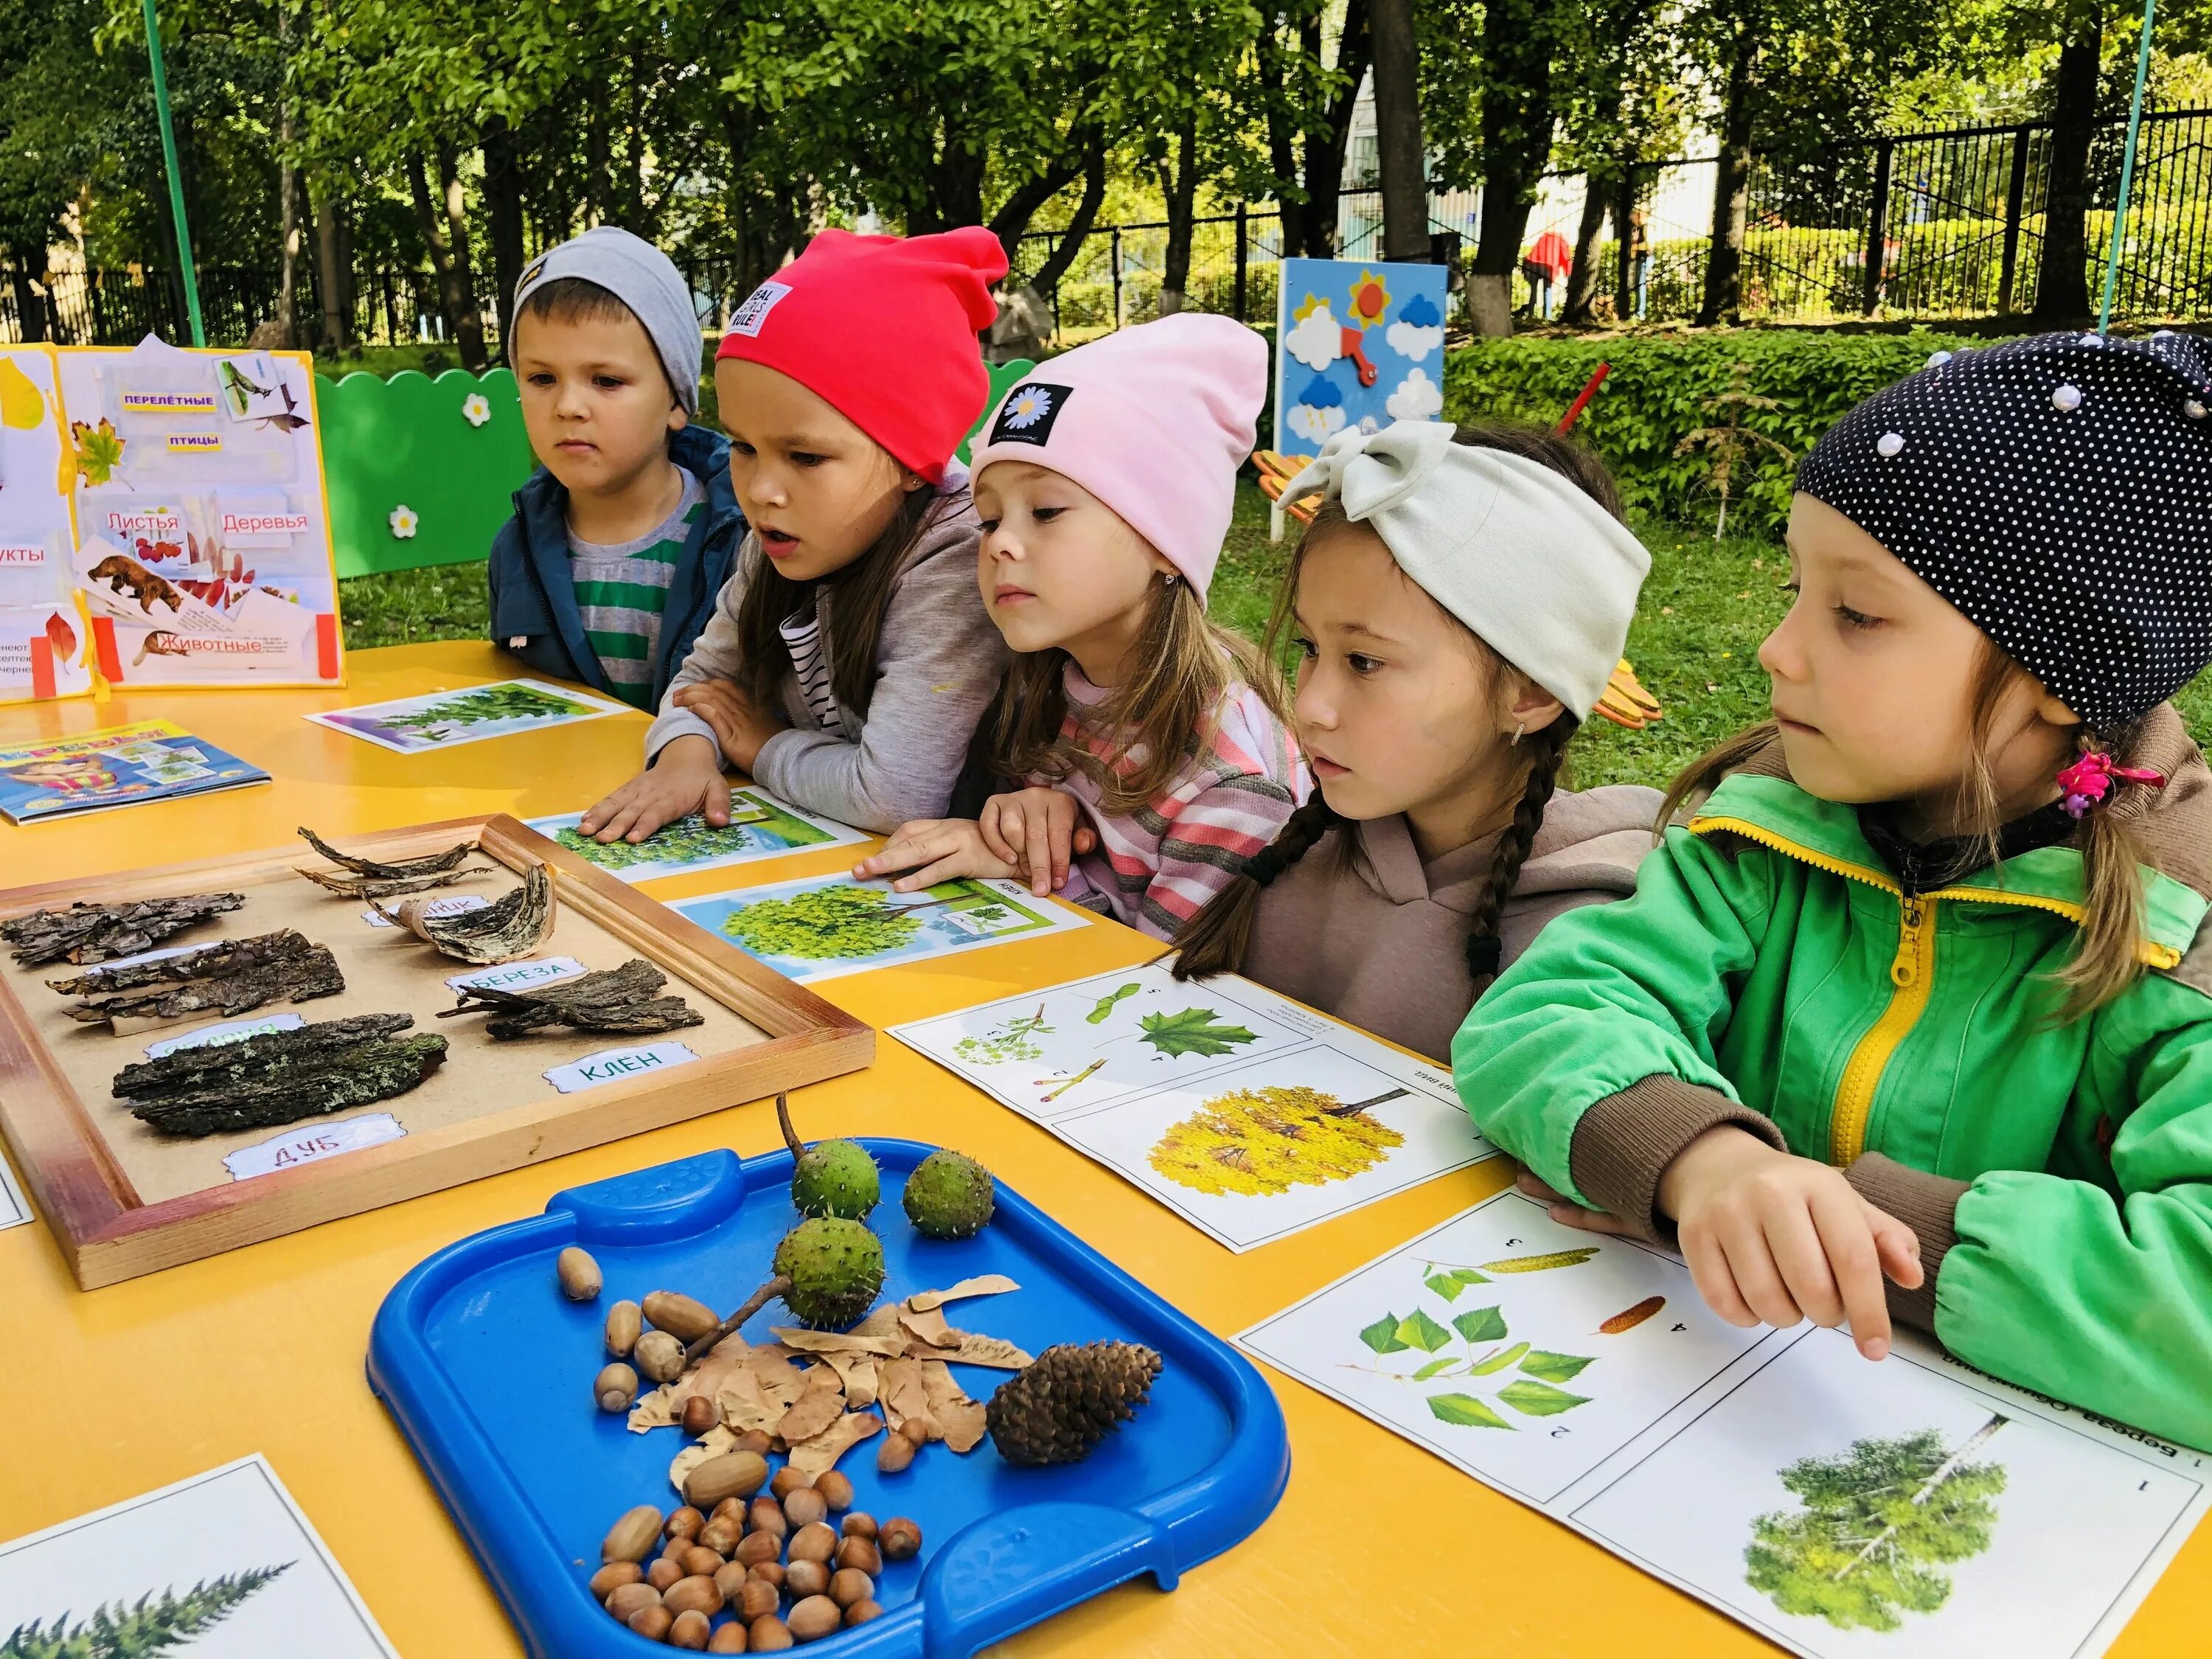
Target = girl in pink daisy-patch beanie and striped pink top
(1154,744)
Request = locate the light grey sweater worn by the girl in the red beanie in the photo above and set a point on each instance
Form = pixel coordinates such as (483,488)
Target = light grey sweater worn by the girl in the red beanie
(939,665)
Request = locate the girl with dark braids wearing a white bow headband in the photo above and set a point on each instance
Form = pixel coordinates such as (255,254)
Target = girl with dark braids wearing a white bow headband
(1459,601)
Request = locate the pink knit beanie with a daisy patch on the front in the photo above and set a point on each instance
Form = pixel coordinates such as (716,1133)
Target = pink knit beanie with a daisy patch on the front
(1154,421)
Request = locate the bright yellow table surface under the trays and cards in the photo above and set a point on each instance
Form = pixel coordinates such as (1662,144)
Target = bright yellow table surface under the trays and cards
(1377,1550)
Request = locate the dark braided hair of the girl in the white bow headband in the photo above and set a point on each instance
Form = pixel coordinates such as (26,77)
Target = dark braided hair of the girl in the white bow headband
(1218,937)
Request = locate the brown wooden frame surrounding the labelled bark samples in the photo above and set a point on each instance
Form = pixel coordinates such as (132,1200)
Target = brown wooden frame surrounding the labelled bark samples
(109,1233)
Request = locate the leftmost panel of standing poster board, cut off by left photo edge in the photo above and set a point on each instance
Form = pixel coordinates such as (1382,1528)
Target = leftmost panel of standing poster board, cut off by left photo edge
(41,629)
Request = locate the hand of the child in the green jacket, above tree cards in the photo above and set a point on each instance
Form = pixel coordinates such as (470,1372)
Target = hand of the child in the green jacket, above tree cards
(1775,1238)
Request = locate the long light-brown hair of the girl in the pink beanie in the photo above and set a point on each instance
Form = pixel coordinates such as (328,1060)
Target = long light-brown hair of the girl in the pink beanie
(1151,724)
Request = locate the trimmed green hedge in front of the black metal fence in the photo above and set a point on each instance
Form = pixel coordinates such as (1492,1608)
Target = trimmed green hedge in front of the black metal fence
(1662,388)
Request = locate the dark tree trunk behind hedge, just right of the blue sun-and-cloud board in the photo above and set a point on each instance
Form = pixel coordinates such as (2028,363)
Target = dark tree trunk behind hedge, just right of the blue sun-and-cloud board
(1516,145)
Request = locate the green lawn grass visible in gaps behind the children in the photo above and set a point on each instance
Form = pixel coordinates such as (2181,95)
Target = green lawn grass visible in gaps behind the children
(1695,640)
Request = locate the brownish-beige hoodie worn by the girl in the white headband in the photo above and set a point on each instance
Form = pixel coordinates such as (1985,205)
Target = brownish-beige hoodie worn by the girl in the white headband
(1381,941)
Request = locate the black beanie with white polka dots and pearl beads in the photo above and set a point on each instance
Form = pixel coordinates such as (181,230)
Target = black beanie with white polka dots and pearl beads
(2058,492)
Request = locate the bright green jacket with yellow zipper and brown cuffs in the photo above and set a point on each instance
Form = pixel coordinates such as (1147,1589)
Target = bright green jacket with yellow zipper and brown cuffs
(1771,974)
